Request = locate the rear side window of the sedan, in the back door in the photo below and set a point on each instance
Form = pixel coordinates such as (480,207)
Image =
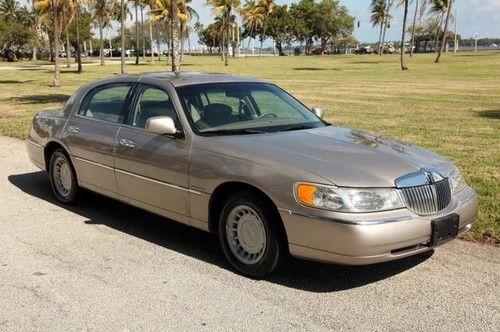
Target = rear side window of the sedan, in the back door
(106,102)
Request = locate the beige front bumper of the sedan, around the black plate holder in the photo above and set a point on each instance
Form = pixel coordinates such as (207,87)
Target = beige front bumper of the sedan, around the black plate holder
(358,239)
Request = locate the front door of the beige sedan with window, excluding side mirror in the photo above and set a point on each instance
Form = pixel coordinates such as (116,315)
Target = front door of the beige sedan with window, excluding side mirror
(151,168)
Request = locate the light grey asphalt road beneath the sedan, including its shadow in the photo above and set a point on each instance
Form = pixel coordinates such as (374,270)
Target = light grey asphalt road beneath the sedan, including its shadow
(104,265)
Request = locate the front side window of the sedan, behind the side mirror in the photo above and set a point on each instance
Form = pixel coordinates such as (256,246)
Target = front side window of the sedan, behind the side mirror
(152,101)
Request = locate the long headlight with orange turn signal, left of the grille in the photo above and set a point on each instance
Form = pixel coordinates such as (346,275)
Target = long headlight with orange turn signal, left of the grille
(347,199)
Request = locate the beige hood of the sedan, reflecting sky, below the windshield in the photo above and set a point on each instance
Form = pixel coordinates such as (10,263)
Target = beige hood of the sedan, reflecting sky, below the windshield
(341,156)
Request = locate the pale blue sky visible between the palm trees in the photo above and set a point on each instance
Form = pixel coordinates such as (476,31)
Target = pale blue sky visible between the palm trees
(474,16)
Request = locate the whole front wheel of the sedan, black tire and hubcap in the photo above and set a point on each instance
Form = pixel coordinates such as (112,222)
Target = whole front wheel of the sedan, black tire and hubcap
(249,235)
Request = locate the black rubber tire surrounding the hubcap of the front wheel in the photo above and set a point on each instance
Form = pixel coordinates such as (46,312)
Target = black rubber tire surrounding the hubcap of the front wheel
(274,247)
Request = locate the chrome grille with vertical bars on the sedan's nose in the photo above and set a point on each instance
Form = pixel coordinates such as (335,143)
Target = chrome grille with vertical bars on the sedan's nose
(428,199)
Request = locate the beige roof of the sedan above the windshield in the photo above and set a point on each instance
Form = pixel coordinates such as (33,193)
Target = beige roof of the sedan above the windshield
(192,78)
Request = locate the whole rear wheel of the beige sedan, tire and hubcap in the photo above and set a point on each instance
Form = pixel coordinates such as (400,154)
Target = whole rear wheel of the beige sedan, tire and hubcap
(62,177)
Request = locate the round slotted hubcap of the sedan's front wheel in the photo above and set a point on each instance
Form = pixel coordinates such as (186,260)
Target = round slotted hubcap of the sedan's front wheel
(246,234)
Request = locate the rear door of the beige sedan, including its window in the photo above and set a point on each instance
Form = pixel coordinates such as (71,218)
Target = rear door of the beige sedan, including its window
(91,133)
